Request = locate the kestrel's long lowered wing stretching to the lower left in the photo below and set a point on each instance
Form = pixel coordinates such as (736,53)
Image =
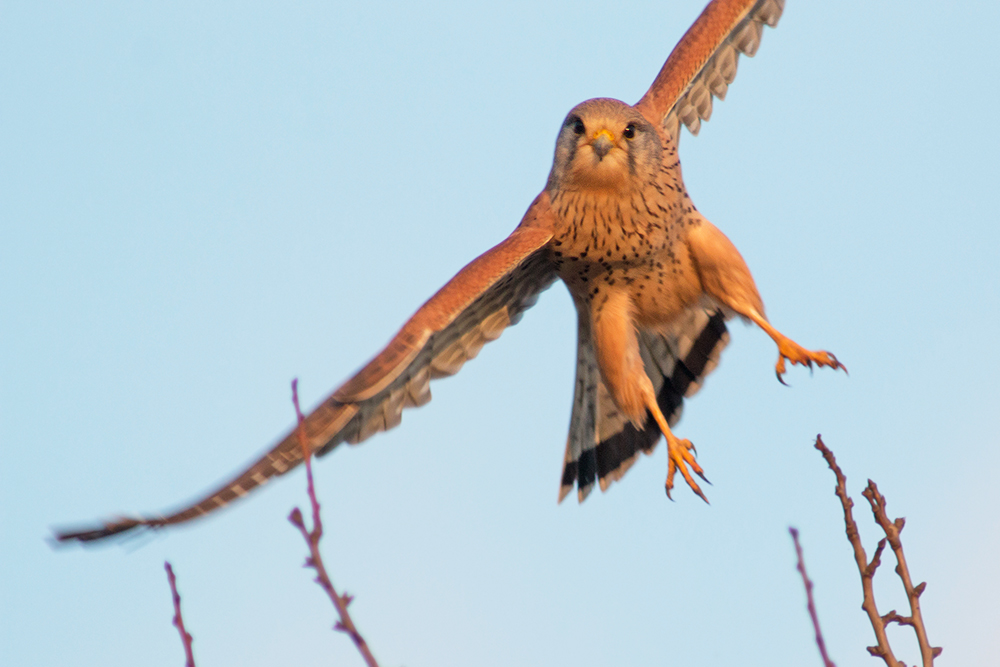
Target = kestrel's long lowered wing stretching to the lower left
(472,309)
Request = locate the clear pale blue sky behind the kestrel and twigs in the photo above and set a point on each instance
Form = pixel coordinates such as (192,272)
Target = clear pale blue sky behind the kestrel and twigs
(200,202)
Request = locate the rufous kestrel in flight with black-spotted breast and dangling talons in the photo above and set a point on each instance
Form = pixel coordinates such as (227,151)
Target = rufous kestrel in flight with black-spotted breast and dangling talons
(653,282)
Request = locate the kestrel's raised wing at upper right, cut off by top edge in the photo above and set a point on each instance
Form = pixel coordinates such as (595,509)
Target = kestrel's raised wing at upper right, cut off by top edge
(703,63)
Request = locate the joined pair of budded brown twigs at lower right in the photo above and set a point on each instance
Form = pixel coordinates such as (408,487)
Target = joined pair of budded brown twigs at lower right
(867,569)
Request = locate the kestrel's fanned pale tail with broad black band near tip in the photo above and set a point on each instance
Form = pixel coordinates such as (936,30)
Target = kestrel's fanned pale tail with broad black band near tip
(603,444)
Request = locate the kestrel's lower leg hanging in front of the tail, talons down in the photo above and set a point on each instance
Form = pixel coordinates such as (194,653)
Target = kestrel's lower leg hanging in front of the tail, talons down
(617,350)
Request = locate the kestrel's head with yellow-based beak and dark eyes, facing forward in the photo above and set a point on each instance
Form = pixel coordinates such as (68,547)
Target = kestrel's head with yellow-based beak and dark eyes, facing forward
(605,144)
